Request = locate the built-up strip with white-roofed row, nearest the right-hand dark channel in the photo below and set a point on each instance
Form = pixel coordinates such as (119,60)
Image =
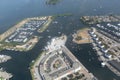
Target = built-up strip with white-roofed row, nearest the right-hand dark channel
(102,43)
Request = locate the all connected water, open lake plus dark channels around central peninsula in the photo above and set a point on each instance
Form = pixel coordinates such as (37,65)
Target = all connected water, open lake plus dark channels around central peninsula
(14,11)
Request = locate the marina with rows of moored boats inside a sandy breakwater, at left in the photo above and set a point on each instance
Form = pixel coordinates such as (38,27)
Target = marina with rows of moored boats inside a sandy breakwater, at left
(23,36)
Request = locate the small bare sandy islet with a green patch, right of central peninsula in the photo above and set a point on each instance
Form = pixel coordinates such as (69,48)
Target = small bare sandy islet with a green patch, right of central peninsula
(82,36)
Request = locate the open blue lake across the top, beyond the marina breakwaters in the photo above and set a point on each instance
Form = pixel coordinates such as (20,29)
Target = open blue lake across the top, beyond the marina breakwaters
(13,11)
